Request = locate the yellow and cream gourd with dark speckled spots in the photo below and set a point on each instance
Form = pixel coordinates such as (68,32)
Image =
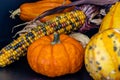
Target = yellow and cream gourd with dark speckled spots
(102,55)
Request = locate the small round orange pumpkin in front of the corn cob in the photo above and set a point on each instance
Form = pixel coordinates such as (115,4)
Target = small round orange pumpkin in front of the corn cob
(63,55)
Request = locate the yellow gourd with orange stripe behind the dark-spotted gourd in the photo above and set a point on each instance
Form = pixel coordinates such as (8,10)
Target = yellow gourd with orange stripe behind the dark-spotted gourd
(112,19)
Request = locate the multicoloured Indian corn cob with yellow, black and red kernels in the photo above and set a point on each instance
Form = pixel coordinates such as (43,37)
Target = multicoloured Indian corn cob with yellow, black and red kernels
(64,23)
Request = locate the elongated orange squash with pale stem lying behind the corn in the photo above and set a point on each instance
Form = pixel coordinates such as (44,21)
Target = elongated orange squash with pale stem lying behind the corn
(29,11)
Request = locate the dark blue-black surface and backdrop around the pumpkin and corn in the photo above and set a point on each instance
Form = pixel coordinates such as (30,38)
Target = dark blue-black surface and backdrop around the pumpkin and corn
(20,70)
